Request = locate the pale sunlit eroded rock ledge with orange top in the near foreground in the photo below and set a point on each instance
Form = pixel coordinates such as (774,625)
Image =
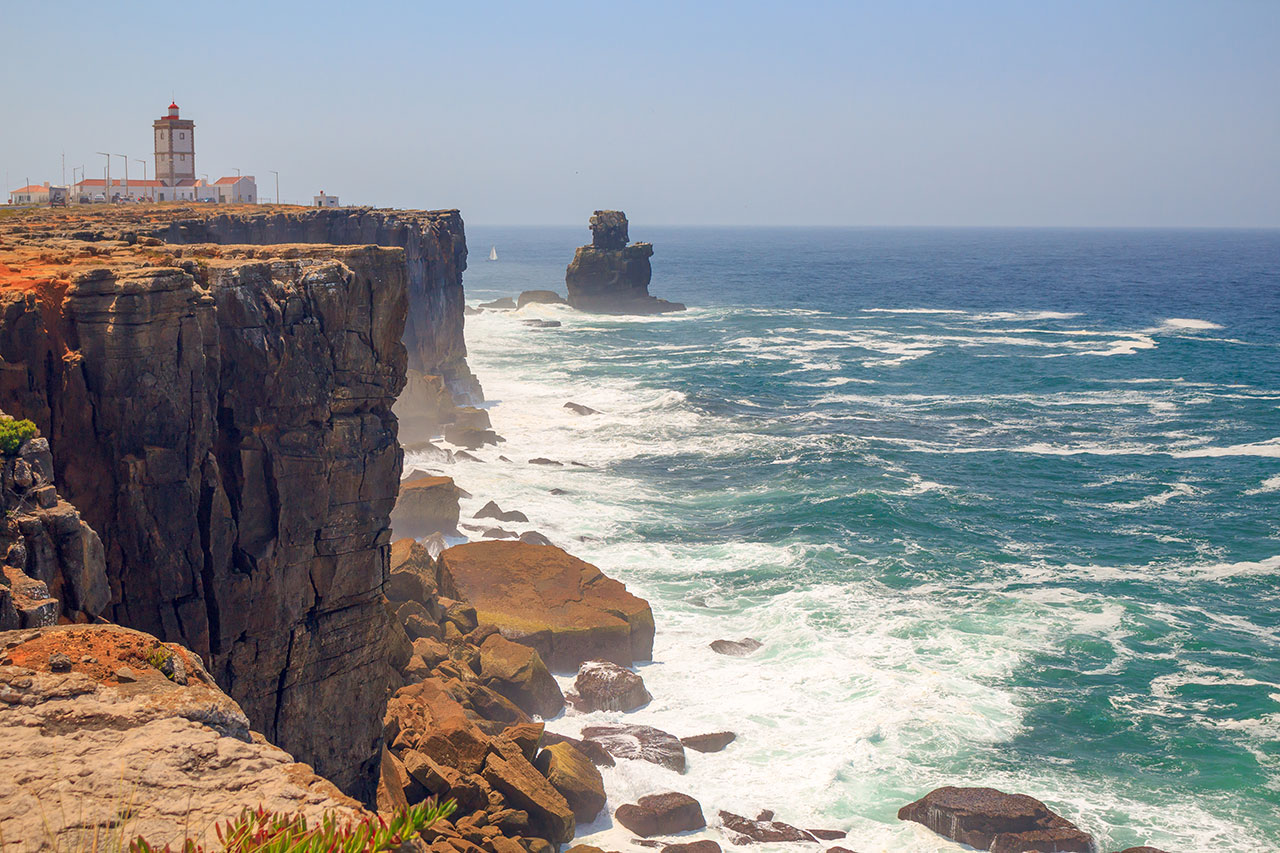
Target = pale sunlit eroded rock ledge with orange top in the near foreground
(179,751)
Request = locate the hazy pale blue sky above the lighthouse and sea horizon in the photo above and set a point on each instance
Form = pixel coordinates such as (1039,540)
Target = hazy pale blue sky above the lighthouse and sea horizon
(1022,113)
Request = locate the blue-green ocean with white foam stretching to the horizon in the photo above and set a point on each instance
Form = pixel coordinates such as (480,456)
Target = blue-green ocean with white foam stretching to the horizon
(1002,505)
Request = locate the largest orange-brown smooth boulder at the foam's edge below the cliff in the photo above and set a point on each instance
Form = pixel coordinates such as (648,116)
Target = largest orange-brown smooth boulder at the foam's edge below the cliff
(551,601)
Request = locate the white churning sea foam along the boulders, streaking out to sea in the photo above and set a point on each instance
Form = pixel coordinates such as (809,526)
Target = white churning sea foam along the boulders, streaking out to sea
(865,696)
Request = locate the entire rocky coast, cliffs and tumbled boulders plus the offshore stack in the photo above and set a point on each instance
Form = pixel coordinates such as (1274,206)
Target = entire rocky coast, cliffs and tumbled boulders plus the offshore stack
(213,565)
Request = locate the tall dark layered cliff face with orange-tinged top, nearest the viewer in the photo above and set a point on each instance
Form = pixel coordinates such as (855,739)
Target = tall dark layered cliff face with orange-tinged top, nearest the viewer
(225,422)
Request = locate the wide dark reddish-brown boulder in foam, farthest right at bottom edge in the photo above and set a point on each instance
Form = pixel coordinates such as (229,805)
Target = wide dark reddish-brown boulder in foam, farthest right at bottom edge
(993,820)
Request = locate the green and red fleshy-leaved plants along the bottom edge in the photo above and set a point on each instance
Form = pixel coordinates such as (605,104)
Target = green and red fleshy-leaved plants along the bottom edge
(263,832)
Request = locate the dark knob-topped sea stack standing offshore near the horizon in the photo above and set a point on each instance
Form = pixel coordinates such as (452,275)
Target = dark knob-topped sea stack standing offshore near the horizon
(610,277)
